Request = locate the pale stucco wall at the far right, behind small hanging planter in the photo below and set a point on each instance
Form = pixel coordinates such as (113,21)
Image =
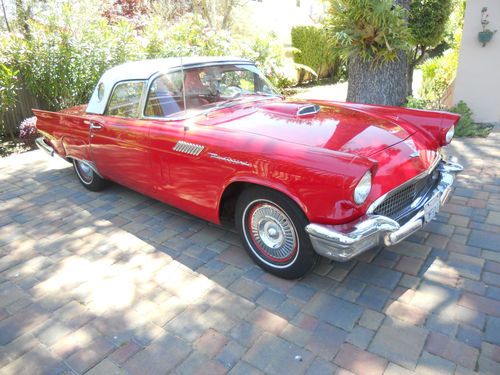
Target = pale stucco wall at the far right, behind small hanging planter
(478,76)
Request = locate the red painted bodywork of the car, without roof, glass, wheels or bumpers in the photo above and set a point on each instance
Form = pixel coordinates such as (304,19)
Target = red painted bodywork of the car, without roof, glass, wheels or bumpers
(316,160)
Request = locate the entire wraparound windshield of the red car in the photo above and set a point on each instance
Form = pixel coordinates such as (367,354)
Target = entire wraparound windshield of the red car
(206,88)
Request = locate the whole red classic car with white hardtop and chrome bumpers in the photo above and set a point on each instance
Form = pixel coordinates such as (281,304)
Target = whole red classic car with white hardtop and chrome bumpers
(299,179)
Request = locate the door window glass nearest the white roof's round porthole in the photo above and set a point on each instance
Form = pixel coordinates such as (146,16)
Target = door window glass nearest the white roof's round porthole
(126,99)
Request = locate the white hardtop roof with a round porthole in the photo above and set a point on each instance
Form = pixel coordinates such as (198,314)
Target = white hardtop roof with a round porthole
(144,69)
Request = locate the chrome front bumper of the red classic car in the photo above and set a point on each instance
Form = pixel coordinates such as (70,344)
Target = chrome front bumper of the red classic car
(343,242)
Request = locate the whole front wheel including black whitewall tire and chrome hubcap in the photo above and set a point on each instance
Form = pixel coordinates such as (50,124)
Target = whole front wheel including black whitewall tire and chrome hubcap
(272,228)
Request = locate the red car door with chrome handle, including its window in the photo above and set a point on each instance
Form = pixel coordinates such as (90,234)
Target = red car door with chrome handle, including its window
(119,139)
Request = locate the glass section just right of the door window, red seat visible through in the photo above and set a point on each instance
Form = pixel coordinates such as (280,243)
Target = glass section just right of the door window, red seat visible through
(165,96)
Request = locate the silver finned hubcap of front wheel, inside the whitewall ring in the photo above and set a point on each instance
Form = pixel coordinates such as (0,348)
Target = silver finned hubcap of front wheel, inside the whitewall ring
(272,232)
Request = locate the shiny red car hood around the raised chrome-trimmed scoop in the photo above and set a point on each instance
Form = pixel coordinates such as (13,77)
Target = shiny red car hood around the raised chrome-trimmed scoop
(332,127)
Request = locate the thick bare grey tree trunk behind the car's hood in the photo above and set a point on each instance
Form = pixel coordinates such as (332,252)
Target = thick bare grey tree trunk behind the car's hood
(382,83)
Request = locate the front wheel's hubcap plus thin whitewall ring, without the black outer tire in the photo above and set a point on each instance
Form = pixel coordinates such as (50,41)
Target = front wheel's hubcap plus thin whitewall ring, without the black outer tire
(272,233)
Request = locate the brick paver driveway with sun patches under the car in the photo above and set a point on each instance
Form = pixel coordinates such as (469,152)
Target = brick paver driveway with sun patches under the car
(115,282)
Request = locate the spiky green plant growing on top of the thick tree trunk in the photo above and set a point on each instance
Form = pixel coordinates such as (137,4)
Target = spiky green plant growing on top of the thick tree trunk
(373,30)
